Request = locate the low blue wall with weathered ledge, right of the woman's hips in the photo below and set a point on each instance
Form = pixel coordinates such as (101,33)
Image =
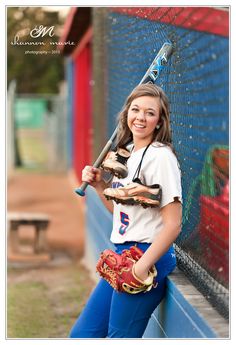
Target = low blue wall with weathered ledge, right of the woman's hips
(185,313)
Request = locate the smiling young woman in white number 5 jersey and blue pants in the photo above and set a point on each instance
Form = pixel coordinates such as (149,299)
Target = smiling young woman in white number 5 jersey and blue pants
(144,127)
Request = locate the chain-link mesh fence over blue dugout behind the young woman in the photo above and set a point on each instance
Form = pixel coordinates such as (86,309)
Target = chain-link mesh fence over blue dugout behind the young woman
(197,83)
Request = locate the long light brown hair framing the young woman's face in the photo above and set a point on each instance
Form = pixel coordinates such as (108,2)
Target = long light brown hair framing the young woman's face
(163,133)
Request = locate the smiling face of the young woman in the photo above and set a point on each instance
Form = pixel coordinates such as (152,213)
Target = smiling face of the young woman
(143,116)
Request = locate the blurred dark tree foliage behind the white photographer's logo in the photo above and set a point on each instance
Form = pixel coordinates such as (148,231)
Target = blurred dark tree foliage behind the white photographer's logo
(37,72)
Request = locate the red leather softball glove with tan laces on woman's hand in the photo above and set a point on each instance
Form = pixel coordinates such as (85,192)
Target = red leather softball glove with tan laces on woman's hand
(118,271)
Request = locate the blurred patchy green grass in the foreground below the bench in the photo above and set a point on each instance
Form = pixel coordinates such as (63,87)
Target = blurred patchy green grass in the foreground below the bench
(45,305)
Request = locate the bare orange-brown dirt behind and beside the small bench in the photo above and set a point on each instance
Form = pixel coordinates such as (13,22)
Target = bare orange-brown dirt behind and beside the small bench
(53,195)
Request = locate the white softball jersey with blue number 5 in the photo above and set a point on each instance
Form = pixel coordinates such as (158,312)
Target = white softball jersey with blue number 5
(159,166)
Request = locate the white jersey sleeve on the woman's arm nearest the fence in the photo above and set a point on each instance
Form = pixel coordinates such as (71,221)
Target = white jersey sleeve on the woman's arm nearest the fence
(168,176)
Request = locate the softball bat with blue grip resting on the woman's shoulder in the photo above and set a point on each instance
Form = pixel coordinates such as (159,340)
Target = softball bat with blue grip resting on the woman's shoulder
(151,75)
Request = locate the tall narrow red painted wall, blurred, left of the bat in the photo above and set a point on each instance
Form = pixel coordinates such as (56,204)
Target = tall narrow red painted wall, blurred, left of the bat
(82,110)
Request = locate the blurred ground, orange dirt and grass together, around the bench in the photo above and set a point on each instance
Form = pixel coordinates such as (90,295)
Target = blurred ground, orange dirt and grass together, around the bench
(44,300)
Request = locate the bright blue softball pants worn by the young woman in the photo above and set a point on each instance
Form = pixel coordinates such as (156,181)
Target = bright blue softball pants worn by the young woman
(111,314)
